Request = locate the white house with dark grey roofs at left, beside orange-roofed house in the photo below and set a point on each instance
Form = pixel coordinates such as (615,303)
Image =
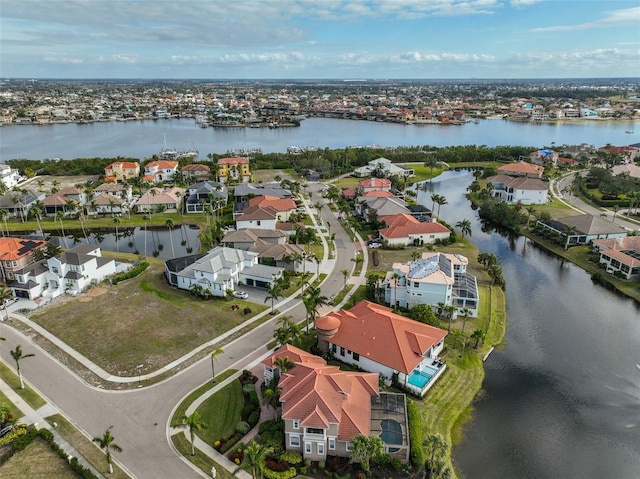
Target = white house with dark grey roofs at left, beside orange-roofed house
(70,272)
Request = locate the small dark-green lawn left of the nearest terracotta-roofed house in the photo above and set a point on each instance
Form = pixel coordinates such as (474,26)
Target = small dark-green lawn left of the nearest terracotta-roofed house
(221,412)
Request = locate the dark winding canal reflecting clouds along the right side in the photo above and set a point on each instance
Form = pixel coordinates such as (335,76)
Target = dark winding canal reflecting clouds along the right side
(561,396)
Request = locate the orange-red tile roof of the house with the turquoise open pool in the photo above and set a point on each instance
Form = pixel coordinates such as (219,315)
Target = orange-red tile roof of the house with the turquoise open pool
(377,333)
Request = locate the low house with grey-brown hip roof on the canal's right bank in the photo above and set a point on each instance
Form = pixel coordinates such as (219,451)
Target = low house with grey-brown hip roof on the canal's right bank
(582,229)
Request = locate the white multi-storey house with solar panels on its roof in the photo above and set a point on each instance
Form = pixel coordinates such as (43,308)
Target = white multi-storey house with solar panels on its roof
(433,279)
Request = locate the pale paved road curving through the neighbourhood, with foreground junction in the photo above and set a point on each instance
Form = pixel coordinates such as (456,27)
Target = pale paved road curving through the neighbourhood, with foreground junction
(140,417)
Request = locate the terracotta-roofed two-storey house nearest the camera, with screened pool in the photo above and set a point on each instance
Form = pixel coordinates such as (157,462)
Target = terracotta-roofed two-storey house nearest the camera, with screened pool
(324,408)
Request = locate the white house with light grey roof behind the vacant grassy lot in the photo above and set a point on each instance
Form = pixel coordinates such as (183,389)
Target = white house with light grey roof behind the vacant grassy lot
(220,270)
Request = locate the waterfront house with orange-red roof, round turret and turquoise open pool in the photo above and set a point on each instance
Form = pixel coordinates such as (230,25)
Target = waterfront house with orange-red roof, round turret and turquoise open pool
(376,339)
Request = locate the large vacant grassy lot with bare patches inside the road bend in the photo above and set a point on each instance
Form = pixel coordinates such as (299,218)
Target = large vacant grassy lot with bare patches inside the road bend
(140,321)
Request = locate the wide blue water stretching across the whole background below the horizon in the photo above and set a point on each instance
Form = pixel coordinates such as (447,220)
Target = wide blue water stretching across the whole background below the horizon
(142,139)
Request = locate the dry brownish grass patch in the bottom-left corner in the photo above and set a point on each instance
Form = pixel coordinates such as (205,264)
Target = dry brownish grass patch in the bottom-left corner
(37,461)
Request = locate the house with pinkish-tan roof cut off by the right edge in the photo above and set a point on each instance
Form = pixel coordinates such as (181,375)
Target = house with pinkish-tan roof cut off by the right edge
(620,255)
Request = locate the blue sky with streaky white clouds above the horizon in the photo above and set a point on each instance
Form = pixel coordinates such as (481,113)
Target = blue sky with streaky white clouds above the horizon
(319,39)
